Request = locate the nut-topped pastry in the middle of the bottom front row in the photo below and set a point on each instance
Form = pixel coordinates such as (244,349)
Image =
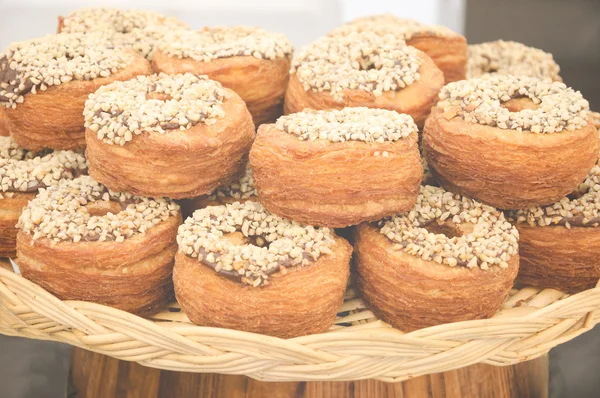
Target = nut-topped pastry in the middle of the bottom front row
(240,267)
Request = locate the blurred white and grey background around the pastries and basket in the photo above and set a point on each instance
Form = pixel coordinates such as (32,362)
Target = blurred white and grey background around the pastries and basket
(569,29)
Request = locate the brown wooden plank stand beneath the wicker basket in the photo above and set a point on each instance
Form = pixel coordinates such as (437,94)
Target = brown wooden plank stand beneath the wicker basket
(97,376)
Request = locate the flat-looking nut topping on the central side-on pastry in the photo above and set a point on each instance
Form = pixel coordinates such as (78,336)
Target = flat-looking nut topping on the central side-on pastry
(348,124)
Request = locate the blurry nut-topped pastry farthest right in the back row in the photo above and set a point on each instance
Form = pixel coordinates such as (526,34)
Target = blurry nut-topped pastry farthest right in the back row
(510,58)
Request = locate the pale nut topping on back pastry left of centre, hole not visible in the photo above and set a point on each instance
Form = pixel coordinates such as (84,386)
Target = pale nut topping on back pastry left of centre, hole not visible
(224,42)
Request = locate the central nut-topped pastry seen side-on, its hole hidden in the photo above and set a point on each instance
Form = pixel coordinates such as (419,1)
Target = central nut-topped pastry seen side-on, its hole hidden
(318,167)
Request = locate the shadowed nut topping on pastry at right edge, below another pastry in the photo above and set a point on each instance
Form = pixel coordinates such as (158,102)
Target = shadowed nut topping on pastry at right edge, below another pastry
(581,208)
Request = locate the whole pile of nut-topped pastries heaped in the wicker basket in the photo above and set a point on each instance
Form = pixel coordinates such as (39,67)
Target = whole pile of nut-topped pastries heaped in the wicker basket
(147,160)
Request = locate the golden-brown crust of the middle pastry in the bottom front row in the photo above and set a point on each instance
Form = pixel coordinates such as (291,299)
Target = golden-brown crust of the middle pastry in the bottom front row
(303,301)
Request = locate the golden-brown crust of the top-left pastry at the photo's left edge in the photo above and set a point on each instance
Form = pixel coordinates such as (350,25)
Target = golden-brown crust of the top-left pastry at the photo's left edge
(54,118)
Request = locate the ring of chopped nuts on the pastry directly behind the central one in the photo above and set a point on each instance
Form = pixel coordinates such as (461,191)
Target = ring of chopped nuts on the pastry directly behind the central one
(357,61)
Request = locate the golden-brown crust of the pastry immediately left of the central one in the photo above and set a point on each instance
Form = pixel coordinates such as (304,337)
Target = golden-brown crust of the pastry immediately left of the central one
(189,163)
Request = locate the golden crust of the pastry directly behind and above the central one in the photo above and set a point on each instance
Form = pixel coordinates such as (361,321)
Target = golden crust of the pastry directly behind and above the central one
(415,100)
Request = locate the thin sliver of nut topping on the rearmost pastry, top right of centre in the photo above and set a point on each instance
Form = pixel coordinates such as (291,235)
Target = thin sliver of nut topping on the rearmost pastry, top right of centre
(388,24)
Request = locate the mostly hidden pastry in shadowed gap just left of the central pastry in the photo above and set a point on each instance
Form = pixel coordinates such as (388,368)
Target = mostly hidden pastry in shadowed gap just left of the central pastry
(240,190)
